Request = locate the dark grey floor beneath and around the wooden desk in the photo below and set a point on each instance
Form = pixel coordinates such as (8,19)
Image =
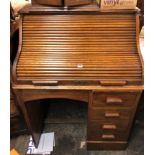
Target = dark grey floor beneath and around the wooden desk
(69,122)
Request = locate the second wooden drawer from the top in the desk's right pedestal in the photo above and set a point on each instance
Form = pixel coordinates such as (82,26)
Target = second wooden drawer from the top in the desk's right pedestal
(109,114)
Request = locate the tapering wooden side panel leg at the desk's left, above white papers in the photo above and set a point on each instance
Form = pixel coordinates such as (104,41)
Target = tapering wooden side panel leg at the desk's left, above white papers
(33,113)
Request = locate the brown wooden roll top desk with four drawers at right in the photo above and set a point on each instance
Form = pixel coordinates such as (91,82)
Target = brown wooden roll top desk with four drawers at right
(84,54)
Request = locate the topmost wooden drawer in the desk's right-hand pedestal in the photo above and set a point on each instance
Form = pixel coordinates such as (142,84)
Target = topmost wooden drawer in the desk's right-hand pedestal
(119,99)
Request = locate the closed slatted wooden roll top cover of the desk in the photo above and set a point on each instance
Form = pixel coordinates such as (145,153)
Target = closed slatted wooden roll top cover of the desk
(79,47)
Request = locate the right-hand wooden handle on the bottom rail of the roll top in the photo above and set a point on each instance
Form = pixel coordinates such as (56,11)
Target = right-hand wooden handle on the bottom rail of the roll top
(113,82)
